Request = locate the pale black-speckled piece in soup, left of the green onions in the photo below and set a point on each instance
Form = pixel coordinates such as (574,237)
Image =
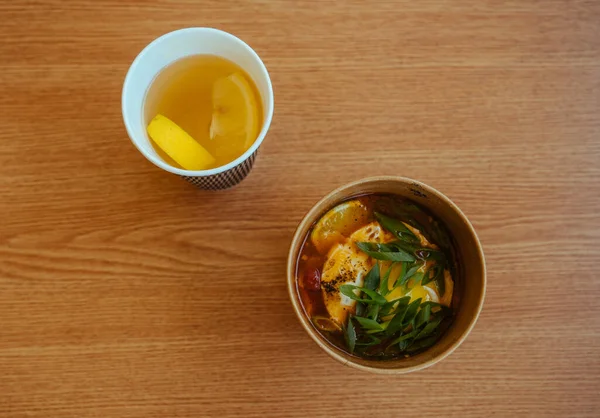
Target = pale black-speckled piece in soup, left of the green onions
(347,265)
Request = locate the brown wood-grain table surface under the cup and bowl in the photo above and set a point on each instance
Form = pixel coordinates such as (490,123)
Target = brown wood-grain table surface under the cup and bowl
(125,292)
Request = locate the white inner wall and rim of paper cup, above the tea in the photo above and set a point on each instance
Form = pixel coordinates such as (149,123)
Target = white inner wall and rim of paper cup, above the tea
(170,48)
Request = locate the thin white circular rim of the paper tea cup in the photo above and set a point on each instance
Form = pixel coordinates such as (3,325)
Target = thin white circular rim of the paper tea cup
(199,173)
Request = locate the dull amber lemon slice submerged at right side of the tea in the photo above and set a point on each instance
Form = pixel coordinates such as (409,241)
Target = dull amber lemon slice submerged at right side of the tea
(235,111)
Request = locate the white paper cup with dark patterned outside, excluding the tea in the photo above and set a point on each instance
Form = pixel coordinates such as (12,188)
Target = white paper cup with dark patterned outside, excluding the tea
(170,48)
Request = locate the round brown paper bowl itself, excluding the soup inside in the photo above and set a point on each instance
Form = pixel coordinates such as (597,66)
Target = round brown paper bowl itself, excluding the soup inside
(469,285)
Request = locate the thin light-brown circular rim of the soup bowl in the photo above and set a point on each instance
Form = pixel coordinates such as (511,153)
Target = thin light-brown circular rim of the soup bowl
(302,317)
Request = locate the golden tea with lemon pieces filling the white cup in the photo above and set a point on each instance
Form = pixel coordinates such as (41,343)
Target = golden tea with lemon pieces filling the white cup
(202,112)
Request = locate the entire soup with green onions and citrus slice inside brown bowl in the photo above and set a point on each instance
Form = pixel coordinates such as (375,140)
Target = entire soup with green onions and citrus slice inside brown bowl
(386,285)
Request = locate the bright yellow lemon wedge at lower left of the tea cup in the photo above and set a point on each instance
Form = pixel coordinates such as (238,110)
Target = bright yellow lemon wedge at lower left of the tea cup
(178,144)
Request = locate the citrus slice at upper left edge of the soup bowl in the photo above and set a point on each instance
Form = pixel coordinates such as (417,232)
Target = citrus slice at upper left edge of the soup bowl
(338,224)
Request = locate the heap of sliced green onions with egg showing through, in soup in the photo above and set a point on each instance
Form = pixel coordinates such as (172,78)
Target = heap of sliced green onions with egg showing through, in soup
(405,313)
